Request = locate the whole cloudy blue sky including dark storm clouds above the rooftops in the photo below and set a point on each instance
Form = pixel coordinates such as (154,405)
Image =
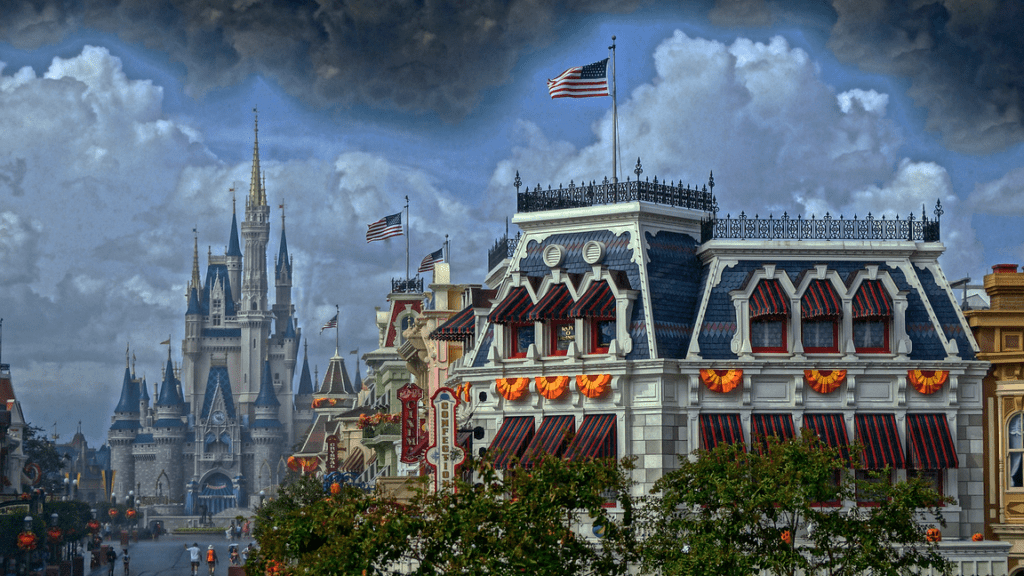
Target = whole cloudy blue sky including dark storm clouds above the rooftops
(124,131)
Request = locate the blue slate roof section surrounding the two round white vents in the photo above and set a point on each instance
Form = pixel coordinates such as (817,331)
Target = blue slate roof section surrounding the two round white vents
(618,257)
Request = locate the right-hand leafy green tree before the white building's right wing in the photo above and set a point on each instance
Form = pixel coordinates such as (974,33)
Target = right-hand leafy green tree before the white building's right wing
(734,513)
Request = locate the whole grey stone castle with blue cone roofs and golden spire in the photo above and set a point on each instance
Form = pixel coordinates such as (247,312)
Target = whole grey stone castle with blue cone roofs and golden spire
(216,435)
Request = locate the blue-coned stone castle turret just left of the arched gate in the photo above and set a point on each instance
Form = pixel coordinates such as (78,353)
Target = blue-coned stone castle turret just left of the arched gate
(169,437)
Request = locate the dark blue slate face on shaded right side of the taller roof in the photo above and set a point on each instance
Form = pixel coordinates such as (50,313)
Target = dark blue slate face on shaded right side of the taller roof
(674,272)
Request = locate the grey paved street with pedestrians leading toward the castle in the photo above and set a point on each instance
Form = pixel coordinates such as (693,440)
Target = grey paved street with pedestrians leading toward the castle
(168,557)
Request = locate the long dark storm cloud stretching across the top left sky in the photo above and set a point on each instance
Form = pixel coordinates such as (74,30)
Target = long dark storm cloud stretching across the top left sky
(410,56)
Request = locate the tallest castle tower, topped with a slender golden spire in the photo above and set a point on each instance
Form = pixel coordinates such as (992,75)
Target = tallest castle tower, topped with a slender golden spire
(253,314)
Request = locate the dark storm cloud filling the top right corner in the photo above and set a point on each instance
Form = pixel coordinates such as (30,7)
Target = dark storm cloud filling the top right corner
(965,60)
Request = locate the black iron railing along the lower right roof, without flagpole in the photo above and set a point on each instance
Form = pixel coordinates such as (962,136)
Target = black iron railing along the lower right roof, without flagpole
(829,228)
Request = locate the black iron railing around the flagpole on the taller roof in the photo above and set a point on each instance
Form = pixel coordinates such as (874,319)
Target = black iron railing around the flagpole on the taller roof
(594,194)
